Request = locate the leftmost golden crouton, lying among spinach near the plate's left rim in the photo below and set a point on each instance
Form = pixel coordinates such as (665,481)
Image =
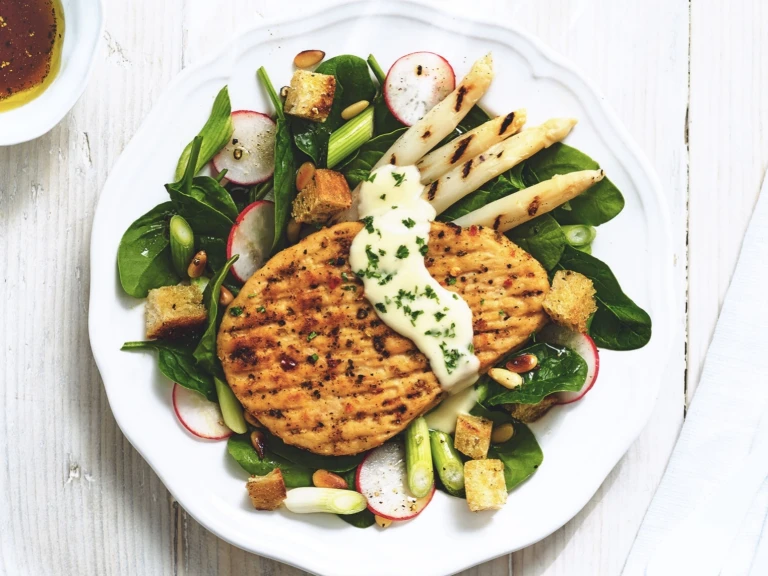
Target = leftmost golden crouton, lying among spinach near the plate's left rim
(173,311)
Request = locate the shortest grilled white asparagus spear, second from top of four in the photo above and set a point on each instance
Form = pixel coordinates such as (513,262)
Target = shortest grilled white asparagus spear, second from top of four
(469,145)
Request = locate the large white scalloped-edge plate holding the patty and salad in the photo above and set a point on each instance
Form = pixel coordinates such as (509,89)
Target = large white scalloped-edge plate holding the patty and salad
(581,442)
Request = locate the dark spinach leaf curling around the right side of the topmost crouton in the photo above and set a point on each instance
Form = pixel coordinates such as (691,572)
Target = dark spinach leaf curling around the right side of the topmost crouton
(353,83)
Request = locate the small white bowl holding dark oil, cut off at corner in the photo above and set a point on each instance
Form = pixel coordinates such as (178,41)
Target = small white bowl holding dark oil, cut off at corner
(83,26)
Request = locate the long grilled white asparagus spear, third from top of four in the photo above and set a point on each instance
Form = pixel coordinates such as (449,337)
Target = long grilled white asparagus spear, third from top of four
(469,176)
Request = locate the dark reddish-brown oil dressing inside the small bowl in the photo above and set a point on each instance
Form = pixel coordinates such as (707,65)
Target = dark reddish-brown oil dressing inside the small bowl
(31,36)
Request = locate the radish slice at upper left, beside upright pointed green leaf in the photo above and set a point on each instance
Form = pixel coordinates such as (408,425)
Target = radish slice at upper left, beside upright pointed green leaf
(249,156)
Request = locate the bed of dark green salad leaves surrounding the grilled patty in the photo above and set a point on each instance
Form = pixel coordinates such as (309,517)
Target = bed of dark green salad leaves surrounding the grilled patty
(560,240)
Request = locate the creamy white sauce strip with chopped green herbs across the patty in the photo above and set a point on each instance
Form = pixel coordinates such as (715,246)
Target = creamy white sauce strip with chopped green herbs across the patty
(388,254)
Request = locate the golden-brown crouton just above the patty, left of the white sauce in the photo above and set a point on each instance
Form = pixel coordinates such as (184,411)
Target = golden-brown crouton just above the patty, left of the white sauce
(326,194)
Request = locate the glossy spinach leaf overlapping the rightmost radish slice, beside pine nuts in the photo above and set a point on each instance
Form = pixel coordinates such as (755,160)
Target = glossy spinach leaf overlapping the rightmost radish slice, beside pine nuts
(559,370)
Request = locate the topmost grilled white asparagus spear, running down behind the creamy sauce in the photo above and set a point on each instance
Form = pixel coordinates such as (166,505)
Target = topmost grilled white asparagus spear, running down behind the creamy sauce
(436,125)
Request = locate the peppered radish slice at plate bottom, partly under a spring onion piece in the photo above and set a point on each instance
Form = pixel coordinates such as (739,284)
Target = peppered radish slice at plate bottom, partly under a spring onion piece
(382,479)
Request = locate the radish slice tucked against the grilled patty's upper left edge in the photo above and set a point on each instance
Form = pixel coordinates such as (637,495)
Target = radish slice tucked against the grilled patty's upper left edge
(251,237)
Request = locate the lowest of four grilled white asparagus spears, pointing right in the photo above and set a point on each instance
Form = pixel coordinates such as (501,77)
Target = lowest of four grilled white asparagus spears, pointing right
(517,208)
